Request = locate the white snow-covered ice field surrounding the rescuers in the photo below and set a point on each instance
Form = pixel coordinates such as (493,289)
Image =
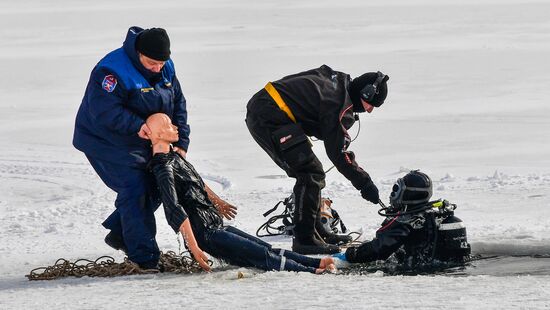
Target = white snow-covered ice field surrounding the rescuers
(468,104)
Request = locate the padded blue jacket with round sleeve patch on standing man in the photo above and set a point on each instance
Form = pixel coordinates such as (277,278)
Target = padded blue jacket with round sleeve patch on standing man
(120,95)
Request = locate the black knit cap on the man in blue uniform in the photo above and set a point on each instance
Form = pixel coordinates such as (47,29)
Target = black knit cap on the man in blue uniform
(154,43)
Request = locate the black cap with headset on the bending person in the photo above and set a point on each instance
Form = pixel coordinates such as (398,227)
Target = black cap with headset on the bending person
(360,84)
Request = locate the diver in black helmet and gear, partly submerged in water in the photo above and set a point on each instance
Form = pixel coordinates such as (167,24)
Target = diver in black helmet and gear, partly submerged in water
(416,231)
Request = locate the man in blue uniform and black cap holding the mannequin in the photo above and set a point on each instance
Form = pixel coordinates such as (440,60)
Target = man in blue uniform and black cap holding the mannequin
(125,87)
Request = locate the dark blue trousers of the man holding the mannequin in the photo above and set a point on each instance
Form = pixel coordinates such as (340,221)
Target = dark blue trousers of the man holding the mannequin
(136,202)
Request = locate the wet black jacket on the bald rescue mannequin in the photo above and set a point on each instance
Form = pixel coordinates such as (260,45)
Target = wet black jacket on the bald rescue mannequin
(182,193)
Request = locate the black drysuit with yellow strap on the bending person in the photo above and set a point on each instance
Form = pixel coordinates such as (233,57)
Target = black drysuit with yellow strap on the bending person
(321,105)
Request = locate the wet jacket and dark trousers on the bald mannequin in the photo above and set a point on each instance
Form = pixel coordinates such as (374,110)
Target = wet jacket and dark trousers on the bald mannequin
(184,196)
